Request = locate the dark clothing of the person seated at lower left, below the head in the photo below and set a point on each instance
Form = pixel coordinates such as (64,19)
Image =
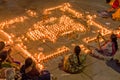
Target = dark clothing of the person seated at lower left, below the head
(32,73)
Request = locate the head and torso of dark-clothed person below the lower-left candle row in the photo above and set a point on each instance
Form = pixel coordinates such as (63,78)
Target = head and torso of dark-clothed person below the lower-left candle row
(29,70)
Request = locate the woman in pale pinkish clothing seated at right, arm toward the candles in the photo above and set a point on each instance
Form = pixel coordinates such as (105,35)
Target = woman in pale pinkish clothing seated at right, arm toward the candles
(109,48)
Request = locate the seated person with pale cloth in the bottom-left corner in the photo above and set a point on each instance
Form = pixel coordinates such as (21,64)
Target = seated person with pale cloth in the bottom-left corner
(7,69)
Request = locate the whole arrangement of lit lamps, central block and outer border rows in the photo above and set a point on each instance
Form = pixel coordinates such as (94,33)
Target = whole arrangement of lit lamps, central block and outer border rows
(51,29)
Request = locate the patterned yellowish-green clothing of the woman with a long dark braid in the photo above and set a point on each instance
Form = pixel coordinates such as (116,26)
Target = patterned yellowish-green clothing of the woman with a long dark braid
(70,63)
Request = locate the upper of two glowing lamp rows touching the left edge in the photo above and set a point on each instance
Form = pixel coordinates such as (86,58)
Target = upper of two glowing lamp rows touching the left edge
(7,24)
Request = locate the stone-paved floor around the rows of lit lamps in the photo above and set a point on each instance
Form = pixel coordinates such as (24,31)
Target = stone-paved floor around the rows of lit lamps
(95,69)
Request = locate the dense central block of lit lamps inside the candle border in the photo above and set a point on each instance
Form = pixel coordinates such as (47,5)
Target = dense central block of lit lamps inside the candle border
(52,32)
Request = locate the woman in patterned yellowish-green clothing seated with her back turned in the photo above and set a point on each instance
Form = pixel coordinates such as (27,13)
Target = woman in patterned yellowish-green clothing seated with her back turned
(73,63)
